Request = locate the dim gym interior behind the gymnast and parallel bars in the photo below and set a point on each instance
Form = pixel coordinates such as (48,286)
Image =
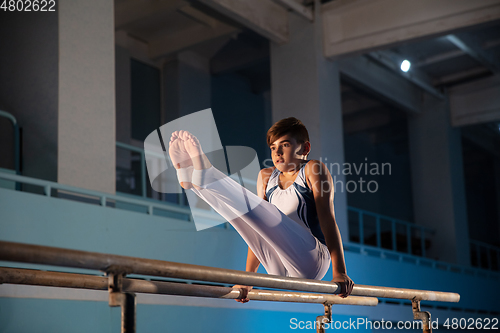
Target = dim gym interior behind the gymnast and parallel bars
(86,83)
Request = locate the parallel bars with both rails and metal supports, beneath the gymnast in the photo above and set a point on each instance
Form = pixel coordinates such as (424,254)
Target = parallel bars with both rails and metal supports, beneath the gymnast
(122,290)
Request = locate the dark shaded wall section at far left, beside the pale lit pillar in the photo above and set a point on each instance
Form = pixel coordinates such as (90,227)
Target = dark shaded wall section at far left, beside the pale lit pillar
(28,89)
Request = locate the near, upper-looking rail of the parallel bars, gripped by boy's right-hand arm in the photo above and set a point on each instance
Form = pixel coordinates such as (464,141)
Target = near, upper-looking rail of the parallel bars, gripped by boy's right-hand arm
(46,255)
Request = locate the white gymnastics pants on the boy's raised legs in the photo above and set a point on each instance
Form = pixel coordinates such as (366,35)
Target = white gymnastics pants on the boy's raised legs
(283,246)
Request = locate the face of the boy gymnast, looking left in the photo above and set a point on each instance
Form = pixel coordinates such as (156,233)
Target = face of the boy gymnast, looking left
(287,153)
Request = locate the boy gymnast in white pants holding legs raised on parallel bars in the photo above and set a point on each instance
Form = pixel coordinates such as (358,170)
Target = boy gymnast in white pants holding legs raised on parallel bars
(291,226)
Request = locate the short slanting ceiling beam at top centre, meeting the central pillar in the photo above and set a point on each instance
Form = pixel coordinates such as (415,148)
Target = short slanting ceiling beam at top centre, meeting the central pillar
(262,16)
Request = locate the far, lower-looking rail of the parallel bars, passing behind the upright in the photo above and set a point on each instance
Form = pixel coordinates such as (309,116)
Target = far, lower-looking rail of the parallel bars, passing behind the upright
(84,281)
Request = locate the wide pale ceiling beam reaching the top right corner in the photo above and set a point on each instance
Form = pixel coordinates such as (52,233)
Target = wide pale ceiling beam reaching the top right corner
(386,23)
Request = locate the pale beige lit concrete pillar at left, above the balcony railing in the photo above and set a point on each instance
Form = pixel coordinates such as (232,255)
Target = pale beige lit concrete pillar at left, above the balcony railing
(86,109)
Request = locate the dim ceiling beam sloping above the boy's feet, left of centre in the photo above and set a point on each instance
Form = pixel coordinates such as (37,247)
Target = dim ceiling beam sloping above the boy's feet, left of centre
(175,42)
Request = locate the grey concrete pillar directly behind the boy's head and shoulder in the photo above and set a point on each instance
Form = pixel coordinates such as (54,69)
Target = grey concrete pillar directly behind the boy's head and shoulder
(307,86)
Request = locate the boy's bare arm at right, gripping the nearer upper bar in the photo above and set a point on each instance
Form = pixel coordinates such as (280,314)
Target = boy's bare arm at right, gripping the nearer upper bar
(321,184)
